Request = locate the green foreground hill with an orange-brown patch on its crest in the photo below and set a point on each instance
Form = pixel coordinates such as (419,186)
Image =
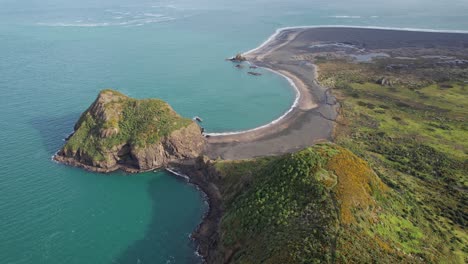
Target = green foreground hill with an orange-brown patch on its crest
(320,205)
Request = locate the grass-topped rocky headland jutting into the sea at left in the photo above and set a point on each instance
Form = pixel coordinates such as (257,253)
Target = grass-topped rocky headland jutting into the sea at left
(119,132)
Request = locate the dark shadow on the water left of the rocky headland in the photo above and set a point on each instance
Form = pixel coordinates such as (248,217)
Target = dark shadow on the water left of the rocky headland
(54,130)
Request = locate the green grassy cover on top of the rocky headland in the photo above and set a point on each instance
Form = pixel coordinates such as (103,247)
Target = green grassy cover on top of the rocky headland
(123,119)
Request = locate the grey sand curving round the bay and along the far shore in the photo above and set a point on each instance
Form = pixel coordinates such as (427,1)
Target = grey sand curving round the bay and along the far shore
(312,119)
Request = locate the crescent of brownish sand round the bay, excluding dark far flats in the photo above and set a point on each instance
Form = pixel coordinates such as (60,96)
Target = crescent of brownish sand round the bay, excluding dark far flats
(310,118)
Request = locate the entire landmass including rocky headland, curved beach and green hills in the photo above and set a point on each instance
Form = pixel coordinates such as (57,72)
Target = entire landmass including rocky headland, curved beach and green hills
(368,166)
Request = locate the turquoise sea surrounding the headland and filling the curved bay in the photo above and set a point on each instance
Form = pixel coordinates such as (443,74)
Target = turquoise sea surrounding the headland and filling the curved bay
(56,55)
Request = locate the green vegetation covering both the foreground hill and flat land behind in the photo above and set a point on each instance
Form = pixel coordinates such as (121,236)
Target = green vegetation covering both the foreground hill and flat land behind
(390,189)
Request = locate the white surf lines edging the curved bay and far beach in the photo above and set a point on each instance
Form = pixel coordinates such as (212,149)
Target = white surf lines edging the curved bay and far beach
(291,82)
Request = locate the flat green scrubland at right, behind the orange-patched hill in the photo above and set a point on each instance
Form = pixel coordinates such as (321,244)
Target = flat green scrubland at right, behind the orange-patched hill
(414,135)
